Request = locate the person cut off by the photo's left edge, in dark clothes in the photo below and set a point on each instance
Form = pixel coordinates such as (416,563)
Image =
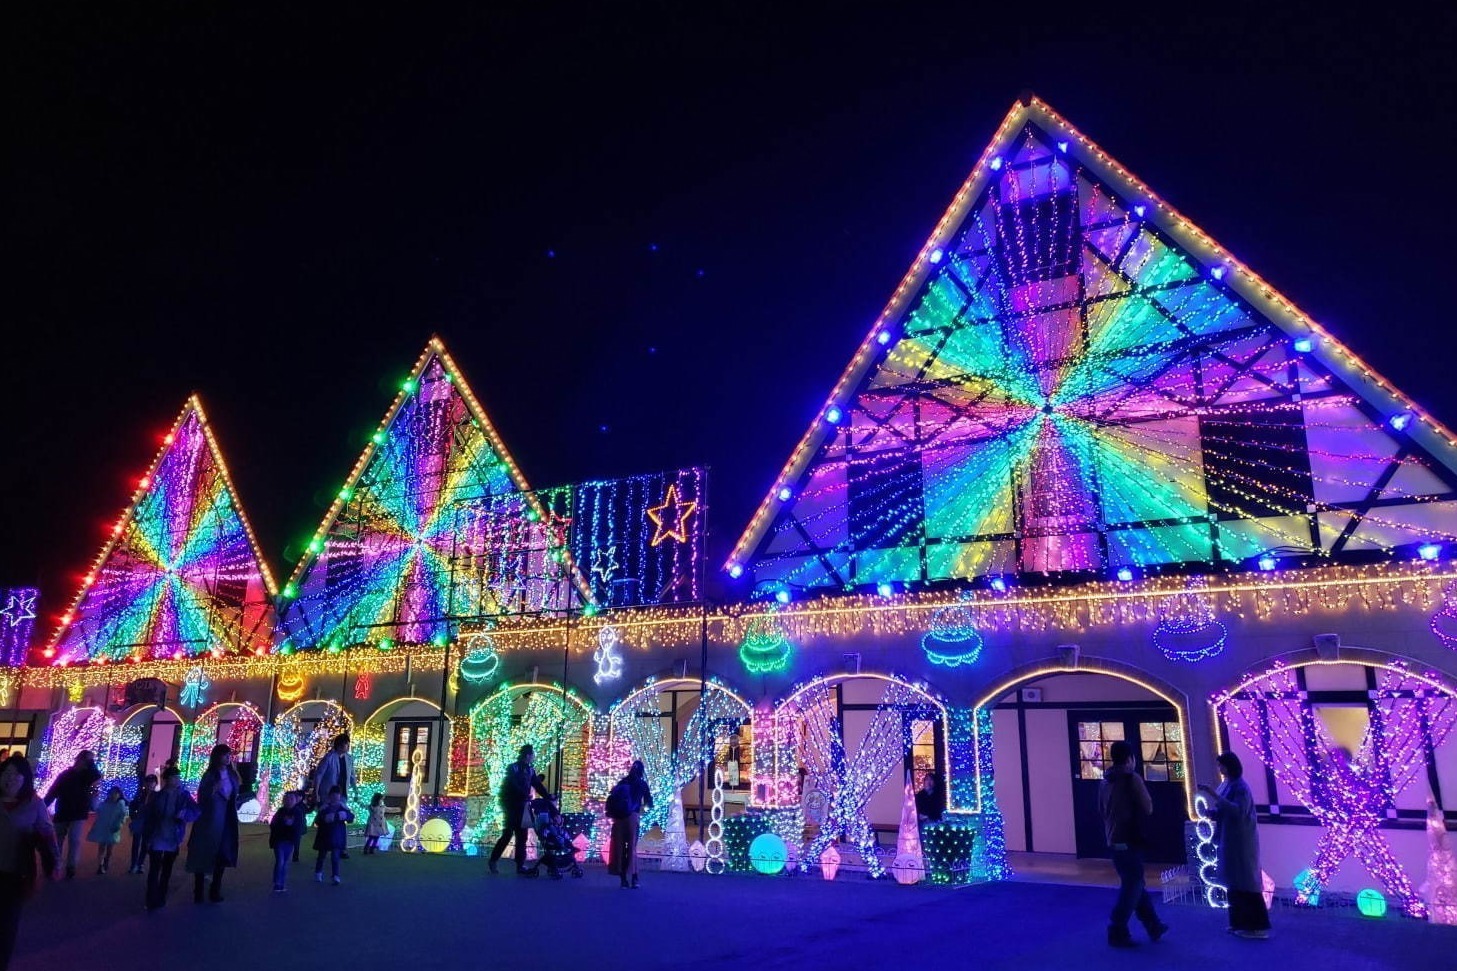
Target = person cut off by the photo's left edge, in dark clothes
(25,832)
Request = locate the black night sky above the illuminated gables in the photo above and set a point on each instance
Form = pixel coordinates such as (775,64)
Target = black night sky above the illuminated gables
(279,209)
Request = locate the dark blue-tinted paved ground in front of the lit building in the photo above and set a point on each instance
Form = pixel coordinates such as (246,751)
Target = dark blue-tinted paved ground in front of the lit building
(420,913)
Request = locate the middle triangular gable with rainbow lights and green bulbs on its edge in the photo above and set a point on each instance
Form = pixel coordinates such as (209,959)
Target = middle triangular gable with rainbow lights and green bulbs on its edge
(435,526)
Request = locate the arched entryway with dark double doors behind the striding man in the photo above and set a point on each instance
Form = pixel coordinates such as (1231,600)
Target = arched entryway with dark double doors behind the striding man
(1053,728)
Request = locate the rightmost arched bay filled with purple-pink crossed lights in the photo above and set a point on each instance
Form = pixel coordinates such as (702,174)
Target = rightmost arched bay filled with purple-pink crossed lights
(1343,754)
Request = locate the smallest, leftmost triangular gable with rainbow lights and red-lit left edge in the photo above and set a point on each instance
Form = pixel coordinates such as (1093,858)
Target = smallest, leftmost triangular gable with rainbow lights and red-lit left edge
(181,575)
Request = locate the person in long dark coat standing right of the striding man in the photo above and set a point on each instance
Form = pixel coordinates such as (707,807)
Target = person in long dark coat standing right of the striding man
(1238,841)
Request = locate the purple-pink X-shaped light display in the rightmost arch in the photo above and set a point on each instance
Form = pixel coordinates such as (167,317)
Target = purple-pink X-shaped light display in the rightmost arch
(1410,717)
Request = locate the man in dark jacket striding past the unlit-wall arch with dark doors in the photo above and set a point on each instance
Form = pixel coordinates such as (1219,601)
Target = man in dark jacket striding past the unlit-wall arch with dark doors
(1127,806)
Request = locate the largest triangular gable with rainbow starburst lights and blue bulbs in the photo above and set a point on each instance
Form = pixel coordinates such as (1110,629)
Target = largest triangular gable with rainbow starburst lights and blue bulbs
(1075,381)
